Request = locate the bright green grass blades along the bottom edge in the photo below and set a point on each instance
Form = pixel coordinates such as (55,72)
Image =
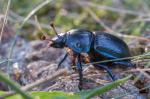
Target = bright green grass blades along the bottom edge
(85,94)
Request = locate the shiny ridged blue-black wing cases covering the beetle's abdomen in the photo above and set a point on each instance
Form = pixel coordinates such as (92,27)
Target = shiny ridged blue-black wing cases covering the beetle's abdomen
(110,46)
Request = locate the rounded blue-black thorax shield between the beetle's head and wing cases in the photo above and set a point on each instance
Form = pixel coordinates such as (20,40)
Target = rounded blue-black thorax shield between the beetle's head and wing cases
(79,40)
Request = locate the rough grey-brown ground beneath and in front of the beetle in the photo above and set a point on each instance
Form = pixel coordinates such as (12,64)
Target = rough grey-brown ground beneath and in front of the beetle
(35,60)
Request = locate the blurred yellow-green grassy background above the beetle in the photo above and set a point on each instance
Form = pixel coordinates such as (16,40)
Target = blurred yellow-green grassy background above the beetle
(124,16)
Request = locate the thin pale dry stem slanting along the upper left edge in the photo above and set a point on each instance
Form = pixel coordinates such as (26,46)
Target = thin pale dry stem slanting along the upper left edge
(5,20)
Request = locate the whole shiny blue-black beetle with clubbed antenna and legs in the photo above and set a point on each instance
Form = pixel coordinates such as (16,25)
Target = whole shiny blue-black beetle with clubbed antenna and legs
(98,45)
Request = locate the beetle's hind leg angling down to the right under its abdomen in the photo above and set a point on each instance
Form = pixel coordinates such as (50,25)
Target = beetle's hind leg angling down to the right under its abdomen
(109,71)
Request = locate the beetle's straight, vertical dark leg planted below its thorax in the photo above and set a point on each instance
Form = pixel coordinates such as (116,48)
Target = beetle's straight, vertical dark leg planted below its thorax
(79,67)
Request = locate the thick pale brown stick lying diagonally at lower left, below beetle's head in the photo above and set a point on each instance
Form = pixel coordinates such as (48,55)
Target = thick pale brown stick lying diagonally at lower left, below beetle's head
(38,82)
